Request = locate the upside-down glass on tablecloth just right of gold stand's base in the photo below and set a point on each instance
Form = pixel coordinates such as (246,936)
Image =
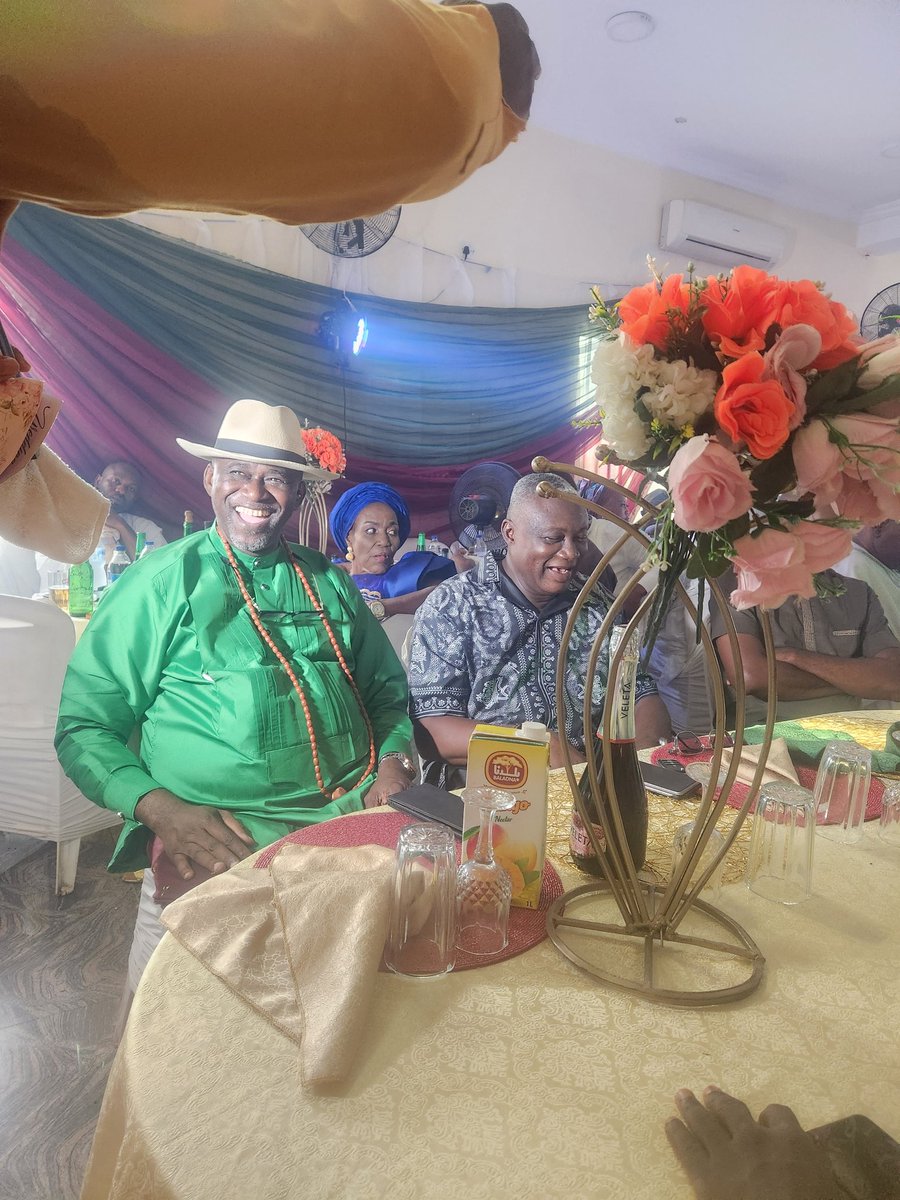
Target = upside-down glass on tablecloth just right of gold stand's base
(781,863)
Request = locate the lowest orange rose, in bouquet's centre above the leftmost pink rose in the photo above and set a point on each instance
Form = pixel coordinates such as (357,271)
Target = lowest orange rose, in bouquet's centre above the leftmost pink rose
(753,411)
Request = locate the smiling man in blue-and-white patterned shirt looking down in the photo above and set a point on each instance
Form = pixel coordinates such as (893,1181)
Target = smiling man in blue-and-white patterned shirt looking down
(485,645)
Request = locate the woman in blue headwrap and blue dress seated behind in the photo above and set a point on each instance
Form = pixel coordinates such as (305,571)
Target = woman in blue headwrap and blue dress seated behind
(369,525)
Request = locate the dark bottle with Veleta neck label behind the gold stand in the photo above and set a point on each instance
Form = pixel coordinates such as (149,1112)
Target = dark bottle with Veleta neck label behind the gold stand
(626,770)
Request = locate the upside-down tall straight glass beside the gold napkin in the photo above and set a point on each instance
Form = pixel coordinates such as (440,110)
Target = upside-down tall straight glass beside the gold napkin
(422,937)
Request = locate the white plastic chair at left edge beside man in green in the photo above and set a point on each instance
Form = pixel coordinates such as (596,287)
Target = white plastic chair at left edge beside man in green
(37,800)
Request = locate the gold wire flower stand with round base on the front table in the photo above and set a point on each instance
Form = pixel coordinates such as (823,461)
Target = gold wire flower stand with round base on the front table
(661,941)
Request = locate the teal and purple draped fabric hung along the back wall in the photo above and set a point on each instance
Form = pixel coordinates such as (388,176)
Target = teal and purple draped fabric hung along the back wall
(146,339)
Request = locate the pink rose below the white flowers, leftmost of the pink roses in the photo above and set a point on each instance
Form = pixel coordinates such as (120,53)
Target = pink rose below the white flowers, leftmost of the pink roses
(707,485)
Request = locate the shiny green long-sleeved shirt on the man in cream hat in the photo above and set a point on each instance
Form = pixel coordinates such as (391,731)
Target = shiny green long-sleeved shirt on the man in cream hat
(172,687)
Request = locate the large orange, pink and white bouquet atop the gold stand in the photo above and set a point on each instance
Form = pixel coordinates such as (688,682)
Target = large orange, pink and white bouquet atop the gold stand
(773,427)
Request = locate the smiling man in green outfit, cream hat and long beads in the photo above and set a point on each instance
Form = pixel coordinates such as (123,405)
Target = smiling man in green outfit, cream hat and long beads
(266,697)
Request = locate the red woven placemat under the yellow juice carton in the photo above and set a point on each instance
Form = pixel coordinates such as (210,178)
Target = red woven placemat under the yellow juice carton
(527,927)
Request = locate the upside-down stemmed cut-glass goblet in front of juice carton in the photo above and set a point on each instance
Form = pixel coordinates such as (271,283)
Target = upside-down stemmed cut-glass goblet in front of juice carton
(484,887)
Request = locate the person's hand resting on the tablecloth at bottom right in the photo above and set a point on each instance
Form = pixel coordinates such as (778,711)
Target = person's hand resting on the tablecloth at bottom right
(729,1156)
